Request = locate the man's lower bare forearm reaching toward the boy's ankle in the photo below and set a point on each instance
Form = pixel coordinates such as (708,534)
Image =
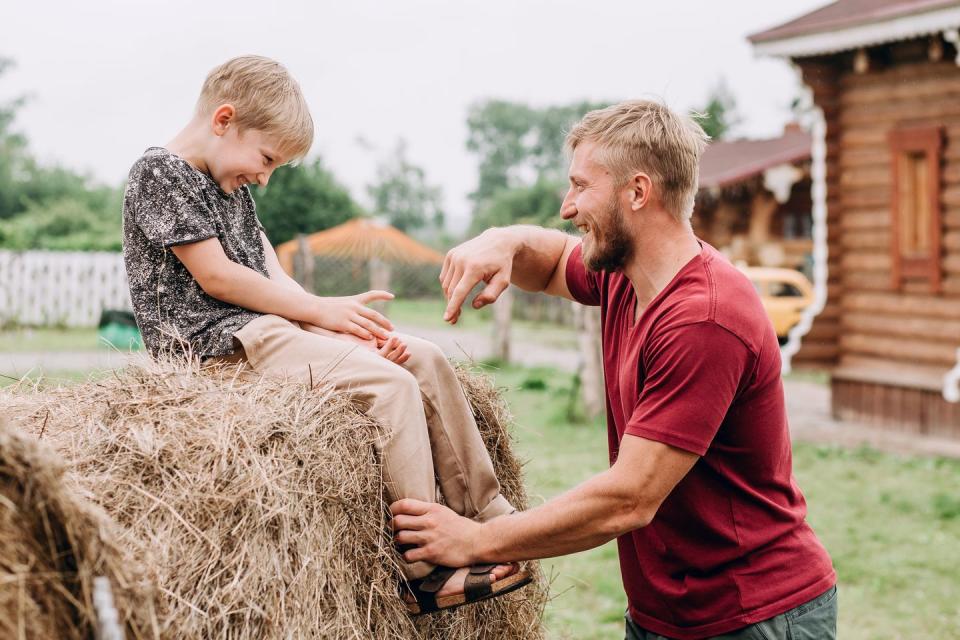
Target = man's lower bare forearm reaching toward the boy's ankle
(587,516)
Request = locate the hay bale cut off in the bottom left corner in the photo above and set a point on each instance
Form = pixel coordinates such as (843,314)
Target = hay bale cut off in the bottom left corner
(55,544)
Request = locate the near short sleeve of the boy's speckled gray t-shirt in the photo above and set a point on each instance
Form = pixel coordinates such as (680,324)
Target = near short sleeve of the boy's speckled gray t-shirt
(168,207)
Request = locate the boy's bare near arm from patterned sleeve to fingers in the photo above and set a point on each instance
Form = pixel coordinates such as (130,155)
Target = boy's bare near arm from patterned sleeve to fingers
(233,283)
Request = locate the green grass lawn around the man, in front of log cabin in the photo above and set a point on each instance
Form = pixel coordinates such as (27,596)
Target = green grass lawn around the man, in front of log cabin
(891,524)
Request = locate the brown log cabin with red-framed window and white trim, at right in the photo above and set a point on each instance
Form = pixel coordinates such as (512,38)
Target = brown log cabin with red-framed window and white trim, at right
(883,79)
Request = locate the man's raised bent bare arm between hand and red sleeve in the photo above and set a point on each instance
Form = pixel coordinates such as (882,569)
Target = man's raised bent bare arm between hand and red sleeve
(537,254)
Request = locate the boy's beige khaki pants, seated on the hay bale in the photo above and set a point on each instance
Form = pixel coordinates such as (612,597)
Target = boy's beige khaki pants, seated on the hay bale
(430,434)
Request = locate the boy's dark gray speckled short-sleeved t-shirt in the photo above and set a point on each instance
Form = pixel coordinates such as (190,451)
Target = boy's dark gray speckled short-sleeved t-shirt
(167,203)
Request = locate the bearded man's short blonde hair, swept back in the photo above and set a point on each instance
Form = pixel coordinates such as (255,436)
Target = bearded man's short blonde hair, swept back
(645,135)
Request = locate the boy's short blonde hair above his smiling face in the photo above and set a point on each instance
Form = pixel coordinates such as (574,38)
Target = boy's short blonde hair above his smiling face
(266,98)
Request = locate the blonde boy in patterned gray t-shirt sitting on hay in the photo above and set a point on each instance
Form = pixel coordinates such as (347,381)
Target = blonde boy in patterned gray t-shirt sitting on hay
(205,279)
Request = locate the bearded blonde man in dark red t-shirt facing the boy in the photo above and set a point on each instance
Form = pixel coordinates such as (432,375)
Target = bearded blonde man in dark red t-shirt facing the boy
(700,493)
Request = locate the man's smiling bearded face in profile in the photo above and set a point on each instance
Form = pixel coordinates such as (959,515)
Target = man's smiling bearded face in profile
(593,204)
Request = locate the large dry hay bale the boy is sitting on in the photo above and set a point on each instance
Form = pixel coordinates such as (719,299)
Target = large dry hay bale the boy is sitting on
(256,507)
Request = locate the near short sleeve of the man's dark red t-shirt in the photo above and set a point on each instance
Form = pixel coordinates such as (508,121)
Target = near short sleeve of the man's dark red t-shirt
(693,374)
